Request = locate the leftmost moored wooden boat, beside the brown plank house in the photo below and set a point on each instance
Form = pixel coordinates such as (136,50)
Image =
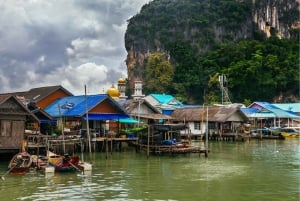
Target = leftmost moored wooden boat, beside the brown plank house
(20,163)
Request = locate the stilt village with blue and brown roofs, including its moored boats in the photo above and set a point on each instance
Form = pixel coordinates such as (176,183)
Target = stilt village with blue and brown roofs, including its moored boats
(47,128)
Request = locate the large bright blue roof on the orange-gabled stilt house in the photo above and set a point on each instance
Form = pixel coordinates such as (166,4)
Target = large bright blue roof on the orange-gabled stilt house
(74,105)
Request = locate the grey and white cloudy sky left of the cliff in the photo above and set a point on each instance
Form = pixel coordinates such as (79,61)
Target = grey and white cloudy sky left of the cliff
(63,42)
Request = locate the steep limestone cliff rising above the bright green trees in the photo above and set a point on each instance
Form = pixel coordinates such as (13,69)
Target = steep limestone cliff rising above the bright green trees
(203,24)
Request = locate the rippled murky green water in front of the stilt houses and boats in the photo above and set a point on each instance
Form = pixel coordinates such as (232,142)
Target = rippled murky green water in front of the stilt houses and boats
(234,171)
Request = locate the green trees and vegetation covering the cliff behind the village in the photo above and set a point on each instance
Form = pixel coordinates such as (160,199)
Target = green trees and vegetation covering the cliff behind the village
(207,38)
